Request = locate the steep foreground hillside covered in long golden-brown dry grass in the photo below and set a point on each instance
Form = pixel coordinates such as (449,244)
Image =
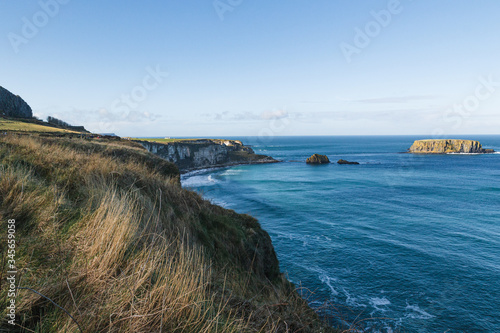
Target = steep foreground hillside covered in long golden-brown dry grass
(105,230)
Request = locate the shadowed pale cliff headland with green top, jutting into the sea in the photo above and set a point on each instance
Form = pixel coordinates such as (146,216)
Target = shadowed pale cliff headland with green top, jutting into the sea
(199,154)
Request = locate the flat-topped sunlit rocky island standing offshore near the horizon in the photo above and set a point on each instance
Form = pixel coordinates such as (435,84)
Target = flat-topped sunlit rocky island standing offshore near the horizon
(446,146)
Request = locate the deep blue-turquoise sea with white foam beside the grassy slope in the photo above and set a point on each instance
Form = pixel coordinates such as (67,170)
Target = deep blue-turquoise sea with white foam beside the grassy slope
(414,239)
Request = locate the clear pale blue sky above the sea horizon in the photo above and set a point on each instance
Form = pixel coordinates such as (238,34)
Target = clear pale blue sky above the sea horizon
(241,67)
